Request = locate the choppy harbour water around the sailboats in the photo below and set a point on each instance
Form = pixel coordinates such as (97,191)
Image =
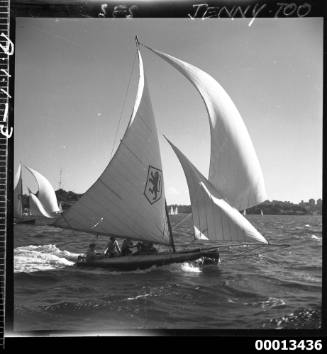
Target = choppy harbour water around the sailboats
(273,288)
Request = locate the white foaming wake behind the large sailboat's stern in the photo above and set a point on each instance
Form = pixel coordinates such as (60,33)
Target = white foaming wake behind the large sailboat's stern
(33,258)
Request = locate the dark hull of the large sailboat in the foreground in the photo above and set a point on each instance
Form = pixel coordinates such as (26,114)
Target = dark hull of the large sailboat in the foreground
(128,263)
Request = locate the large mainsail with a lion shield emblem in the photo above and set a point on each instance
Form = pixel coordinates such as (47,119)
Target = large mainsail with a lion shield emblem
(128,199)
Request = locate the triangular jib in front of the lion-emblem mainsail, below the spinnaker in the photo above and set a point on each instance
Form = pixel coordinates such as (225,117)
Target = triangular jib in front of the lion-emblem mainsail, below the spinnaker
(214,218)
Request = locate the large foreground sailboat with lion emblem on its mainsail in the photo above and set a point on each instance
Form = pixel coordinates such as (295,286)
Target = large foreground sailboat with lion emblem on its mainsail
(128,199)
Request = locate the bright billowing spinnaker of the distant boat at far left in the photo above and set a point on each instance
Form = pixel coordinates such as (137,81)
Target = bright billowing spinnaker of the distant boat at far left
(46,193)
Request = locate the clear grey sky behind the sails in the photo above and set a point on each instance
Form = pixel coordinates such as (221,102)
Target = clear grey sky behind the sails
(76,80)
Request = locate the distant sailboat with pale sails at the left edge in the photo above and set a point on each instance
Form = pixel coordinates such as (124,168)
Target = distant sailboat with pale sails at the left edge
(43,203)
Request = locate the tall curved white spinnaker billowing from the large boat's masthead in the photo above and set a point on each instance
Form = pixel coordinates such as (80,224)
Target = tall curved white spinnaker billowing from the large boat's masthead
(234,167)
